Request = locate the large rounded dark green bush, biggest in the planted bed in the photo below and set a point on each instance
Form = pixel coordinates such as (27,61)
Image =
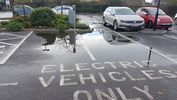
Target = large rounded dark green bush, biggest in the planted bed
(43,17)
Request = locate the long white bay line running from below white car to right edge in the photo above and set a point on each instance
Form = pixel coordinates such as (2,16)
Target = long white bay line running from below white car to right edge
(144,46)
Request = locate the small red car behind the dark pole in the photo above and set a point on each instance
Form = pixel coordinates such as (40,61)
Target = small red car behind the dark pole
(148,13)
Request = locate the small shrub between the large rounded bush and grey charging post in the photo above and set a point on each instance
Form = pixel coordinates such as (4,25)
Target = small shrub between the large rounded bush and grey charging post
(62,25)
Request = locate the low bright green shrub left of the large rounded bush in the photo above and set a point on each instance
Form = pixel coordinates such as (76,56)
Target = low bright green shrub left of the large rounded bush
(14,26)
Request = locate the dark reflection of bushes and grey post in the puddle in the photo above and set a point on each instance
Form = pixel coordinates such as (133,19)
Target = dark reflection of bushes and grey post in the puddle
(66,40)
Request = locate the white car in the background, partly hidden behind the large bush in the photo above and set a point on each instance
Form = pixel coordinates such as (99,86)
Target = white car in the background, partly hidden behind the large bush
(65,9)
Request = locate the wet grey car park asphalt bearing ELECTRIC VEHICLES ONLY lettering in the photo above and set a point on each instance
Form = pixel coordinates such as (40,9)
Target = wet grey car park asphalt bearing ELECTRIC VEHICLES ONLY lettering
(102,65)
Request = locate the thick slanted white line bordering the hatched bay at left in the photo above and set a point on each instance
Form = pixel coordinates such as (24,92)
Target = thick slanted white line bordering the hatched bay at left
(12,52)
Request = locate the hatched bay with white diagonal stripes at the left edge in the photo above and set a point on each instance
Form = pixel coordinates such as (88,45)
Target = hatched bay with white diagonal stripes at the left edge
(9,43)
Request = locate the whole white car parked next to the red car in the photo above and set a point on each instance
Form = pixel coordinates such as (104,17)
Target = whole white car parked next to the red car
(122,18)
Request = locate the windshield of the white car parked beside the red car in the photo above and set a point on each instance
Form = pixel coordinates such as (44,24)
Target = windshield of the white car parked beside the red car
(124,11)
